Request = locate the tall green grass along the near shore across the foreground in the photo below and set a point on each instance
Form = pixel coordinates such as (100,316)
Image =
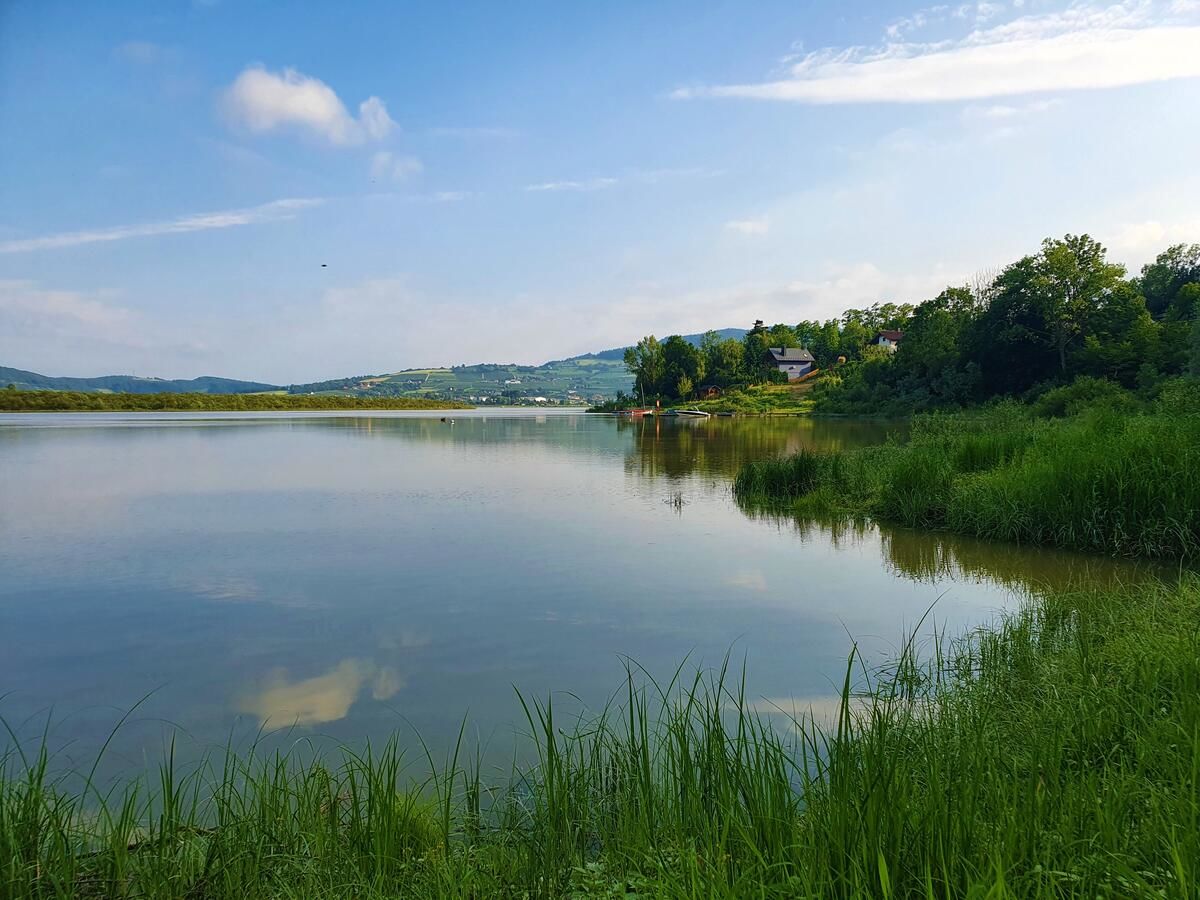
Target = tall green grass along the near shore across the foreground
(1057,755)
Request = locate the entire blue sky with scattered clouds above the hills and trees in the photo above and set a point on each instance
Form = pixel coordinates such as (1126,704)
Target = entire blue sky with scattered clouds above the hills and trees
(523,182)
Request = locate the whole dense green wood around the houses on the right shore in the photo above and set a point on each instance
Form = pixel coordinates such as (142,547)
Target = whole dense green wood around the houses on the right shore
(1042,322)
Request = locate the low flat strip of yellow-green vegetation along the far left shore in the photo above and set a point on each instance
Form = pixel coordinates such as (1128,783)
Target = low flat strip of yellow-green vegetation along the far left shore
(14,401)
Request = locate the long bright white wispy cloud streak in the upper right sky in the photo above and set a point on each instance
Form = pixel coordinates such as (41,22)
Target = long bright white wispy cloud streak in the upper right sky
(1083,47)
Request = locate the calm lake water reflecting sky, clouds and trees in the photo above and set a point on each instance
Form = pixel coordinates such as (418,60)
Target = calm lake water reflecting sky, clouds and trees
(355,574)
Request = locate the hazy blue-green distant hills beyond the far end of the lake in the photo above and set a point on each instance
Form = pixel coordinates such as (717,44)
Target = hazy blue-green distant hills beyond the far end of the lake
(592,376)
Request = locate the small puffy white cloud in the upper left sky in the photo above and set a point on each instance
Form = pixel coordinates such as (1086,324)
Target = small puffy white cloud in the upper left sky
(263,101)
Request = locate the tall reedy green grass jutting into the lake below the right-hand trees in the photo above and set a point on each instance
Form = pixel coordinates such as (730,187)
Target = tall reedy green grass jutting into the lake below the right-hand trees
(1103,481)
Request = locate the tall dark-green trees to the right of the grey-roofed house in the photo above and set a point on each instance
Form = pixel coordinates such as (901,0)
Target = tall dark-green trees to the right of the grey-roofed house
(1045,321)
